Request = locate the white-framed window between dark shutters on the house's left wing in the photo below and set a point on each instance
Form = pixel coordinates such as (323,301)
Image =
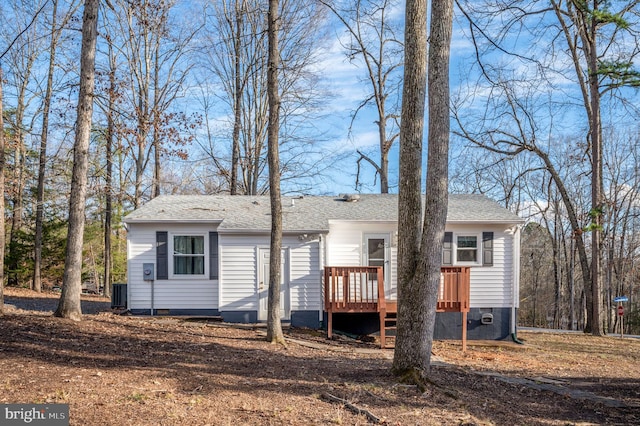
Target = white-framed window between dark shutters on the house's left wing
(189,255)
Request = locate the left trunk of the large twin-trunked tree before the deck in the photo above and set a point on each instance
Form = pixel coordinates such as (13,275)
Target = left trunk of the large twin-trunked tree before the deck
(409,355)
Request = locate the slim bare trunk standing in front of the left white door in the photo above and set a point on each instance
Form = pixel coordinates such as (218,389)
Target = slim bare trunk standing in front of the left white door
(274,327)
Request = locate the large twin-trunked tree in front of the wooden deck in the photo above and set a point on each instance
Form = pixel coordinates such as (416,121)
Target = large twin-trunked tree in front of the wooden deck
(420,241)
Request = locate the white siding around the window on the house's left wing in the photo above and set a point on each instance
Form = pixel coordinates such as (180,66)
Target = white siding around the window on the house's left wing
(174,293)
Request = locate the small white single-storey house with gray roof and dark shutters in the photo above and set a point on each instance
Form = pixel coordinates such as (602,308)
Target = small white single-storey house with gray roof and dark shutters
(209,255)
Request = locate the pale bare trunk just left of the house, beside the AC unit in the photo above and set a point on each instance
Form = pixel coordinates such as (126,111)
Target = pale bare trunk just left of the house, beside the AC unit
(69,305)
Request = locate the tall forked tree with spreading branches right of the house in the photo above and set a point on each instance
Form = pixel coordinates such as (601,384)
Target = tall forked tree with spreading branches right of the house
(590,48)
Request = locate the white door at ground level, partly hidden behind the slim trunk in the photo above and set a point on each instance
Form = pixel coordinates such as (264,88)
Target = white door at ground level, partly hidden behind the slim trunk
(263,285)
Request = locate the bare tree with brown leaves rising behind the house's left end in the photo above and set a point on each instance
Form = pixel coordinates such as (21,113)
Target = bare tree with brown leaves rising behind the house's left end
(153,47)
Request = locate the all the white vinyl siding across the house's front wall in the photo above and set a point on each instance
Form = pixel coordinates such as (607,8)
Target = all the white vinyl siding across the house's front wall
(236,289)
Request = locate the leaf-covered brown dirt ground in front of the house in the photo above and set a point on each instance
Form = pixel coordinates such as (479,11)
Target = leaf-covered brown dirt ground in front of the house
(124,370)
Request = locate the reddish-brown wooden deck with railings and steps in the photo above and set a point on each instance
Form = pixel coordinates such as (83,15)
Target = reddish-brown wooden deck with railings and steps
(360,289)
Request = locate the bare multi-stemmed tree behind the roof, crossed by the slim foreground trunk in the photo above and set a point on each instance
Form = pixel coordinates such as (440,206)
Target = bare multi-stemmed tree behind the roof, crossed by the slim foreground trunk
(238,61)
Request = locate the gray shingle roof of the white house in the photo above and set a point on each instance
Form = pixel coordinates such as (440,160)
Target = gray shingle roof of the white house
(309,213)
